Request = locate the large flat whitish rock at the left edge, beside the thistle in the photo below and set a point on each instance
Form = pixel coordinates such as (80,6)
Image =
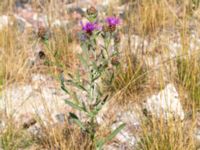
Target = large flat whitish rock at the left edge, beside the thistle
(45,102)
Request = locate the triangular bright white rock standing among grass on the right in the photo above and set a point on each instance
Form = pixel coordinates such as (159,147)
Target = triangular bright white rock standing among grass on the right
(165,104)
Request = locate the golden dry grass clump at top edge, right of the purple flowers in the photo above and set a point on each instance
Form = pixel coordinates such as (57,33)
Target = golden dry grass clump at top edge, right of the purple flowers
(152,16)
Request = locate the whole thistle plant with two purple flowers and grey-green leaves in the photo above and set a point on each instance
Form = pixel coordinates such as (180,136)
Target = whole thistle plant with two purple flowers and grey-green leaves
(97,60)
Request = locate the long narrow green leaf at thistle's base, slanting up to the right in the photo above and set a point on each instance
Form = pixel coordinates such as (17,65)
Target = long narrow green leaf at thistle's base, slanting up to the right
(101,142)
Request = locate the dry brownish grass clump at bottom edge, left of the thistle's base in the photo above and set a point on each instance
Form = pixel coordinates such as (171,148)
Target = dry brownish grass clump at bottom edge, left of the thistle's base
(63,137)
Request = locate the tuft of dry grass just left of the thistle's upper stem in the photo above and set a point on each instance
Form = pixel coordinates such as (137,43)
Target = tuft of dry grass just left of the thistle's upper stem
(60,50)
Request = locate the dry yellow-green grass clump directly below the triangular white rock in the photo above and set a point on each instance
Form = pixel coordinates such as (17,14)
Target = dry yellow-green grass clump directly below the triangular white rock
(158,134)
